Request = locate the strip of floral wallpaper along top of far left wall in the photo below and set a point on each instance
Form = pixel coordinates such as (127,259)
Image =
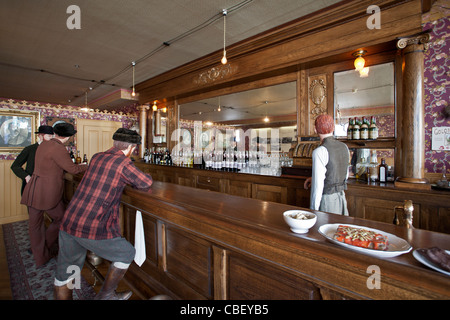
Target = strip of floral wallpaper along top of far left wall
(51,111)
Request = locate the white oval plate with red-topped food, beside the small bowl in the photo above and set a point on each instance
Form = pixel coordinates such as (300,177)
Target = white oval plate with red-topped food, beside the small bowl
(365,240)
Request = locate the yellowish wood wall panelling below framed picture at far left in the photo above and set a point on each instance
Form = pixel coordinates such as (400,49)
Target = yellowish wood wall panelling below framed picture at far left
(10,208)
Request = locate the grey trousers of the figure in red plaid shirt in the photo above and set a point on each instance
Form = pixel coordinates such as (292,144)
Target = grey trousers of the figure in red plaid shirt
(72,252)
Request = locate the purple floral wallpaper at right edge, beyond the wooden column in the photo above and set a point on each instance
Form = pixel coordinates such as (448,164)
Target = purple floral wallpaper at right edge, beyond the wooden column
(436,82)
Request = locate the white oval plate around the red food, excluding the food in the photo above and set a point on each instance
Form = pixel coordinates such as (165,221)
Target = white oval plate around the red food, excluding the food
(396,245)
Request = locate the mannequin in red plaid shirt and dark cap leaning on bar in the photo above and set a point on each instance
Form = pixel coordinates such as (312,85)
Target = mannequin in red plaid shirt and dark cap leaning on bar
(91,221)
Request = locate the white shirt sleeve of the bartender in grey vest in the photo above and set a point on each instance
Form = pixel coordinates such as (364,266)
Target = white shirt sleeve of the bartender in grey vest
(320,160)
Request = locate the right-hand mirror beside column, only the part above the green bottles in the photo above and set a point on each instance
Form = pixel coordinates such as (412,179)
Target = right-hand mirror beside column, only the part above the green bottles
(371,95)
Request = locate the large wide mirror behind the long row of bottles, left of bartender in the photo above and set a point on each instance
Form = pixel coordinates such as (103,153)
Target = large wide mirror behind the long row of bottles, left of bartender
(257,126)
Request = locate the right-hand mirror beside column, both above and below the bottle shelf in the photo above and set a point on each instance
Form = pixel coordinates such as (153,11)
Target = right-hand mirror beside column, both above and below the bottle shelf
(368,96)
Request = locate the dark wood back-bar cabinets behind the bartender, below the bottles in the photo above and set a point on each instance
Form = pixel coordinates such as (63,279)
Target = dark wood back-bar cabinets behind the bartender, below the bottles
(369,201)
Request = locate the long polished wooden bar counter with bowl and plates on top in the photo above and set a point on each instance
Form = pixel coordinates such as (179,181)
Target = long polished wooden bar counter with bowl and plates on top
(209,245)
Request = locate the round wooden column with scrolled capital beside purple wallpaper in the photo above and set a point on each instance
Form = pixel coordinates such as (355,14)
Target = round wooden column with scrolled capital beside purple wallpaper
(412,128)
